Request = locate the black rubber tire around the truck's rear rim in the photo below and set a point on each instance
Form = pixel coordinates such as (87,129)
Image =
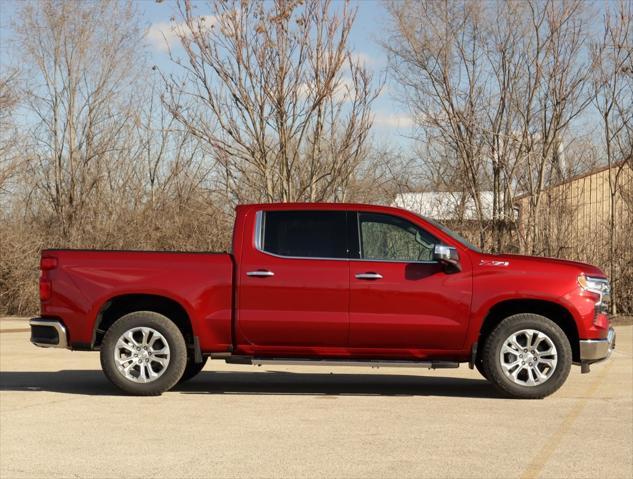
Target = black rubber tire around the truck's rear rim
(177,353)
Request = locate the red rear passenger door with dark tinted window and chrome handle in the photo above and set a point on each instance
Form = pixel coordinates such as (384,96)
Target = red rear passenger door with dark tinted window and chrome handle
(294,282)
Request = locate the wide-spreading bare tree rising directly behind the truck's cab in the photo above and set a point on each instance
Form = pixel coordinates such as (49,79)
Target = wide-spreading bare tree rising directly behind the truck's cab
(273,92)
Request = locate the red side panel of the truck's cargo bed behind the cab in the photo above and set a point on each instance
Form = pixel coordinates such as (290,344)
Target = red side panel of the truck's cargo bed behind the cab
(86,281)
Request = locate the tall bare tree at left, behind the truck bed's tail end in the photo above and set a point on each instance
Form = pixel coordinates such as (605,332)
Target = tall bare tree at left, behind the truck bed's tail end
(81,60)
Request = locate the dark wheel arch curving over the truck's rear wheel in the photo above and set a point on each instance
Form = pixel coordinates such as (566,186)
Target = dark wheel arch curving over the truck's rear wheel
(118,306)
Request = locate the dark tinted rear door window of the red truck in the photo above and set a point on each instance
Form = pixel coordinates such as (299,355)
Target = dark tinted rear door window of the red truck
(309,234)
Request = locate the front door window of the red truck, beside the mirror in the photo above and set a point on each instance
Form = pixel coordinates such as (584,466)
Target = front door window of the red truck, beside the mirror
(389,238)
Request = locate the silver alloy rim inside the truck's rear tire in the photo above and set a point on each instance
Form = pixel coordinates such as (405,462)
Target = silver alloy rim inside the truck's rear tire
(141,354)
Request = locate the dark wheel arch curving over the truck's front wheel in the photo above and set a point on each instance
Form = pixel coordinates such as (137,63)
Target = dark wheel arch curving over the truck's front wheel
(549,309)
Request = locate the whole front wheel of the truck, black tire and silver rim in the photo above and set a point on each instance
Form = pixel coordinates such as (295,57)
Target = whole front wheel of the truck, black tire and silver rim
(527,356)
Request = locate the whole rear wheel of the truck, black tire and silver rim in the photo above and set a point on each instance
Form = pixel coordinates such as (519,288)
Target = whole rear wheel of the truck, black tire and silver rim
(143,353)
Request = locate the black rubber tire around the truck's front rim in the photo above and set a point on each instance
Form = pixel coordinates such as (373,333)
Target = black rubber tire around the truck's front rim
(492,362)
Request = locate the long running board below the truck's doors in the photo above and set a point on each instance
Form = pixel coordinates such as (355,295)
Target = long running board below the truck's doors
(341,362)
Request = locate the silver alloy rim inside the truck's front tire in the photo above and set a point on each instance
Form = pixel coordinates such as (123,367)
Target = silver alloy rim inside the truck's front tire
(528,357)
